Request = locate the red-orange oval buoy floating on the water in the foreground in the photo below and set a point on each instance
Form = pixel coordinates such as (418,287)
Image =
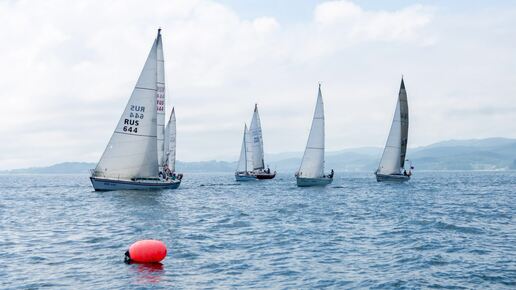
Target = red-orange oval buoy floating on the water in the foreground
(146,251)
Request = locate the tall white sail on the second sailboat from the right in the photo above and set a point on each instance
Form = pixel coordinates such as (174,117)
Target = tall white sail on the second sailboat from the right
(312,165)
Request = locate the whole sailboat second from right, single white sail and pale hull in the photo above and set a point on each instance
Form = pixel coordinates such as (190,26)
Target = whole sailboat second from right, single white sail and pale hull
(311,171)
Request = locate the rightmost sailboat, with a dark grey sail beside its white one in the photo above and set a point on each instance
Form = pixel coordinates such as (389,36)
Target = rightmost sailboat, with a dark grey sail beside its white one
(392,164)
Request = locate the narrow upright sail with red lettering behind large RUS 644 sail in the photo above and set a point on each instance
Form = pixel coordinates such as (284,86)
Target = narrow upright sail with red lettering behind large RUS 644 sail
(160,101)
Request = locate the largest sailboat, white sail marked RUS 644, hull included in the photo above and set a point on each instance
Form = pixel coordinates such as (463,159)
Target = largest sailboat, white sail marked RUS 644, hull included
(134,156)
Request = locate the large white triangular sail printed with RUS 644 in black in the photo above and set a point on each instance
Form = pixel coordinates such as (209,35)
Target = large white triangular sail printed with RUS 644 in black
(132,149)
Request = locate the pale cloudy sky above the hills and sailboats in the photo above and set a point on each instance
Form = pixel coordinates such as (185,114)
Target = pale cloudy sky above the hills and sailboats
(67,69)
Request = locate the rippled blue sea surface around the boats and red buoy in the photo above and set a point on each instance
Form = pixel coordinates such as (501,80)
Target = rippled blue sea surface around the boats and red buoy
(442,230)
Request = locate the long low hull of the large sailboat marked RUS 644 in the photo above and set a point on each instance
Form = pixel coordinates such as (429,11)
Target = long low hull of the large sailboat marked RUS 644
(104,184)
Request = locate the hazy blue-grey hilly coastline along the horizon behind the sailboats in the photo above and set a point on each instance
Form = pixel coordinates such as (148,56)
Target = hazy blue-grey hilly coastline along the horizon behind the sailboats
(491,154)
